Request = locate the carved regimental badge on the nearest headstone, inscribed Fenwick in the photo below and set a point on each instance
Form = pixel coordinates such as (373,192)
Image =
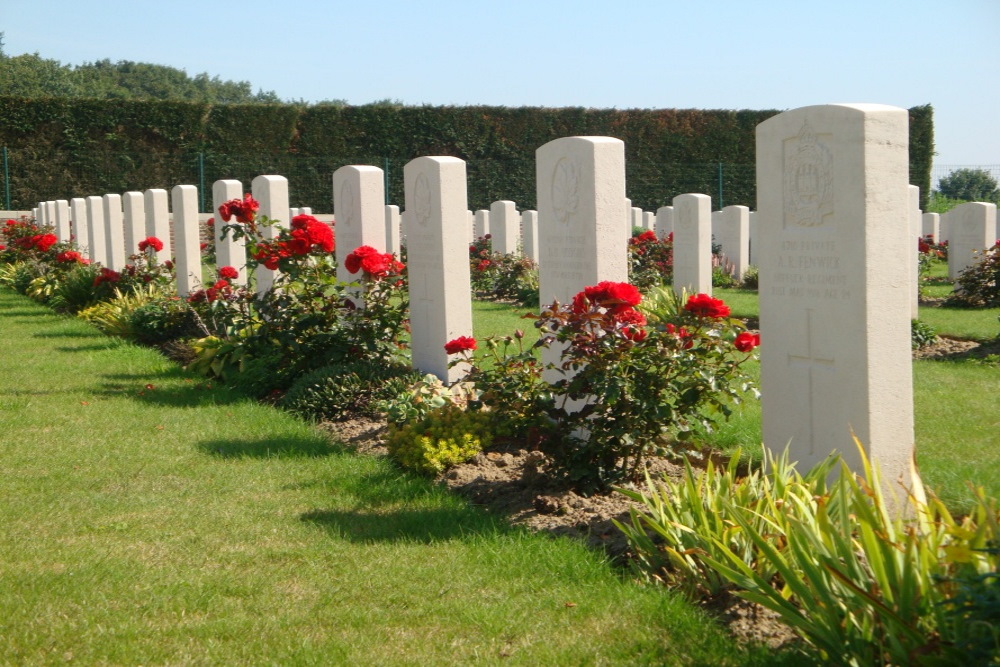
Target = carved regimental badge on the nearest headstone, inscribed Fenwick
(808,182)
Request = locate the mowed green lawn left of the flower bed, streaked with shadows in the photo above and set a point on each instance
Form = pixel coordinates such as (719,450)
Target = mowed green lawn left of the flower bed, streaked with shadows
(147,517)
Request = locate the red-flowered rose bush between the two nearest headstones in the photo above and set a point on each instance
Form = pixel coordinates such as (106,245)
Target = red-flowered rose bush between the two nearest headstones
(621,390)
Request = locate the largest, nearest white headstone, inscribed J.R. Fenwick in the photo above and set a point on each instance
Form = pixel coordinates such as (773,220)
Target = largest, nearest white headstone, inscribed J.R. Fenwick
(835,285)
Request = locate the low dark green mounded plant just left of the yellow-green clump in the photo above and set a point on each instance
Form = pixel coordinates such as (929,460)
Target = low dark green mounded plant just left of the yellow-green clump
(346,390)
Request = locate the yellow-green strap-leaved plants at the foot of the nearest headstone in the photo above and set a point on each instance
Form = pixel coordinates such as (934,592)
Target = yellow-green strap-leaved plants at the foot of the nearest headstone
(861,585)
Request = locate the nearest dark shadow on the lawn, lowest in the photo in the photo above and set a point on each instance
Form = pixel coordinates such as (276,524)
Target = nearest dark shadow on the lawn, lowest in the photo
(421,525)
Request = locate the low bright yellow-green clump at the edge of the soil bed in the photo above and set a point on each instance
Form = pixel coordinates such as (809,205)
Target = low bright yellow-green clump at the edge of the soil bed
(446,436)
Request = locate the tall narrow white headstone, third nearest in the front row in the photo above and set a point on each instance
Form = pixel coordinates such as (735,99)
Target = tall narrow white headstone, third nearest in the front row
(438,261)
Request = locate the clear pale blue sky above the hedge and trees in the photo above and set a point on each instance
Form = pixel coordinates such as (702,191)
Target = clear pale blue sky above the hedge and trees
(726,54)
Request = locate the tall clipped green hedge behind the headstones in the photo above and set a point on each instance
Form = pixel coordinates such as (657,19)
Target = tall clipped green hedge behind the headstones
(58,148)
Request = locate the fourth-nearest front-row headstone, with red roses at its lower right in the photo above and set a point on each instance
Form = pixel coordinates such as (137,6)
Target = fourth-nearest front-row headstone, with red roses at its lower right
(359,207)
